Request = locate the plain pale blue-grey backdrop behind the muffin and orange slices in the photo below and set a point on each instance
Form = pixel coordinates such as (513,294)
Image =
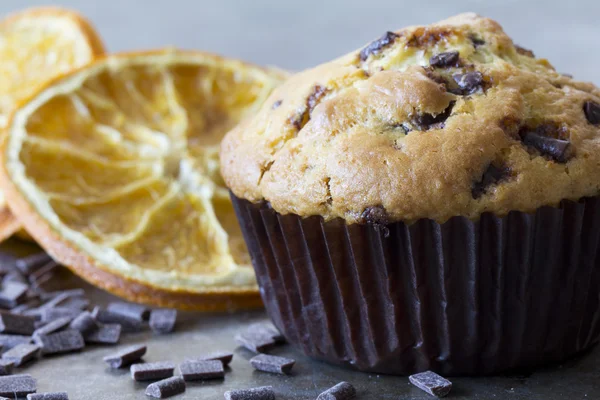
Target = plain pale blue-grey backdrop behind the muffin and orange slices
(299,34)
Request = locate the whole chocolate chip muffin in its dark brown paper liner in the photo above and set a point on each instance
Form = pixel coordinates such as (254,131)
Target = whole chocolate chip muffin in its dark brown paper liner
(429,201)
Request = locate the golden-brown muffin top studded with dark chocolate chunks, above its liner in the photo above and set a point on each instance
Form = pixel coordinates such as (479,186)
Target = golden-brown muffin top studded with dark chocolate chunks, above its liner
(427,122)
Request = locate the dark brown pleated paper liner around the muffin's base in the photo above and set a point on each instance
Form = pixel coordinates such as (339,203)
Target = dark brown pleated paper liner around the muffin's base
(460,298)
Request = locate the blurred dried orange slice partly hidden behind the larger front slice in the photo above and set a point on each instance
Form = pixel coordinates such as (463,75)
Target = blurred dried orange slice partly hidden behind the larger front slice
(36,45)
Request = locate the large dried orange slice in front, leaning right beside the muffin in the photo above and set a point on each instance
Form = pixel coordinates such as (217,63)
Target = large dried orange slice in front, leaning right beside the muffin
(114,170)
